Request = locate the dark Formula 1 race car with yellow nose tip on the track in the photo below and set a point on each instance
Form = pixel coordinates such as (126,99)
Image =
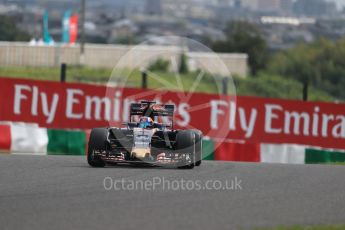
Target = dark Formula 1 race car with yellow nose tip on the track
(146,141)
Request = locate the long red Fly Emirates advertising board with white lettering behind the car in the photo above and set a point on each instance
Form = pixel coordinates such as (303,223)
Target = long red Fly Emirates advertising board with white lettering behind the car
(259,120)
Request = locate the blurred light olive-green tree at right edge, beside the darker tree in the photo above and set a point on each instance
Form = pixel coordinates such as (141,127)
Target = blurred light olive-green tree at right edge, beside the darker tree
(321,64)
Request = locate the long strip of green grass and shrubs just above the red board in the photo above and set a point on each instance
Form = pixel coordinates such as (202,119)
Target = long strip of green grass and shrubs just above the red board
(263,85)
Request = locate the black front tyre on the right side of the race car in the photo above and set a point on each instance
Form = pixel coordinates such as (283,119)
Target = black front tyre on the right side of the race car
(185,143)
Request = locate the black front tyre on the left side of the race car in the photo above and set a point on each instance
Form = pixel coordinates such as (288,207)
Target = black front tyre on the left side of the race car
(97,142)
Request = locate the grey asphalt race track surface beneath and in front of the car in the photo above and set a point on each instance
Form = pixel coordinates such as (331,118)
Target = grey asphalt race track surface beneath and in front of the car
(61,192)
